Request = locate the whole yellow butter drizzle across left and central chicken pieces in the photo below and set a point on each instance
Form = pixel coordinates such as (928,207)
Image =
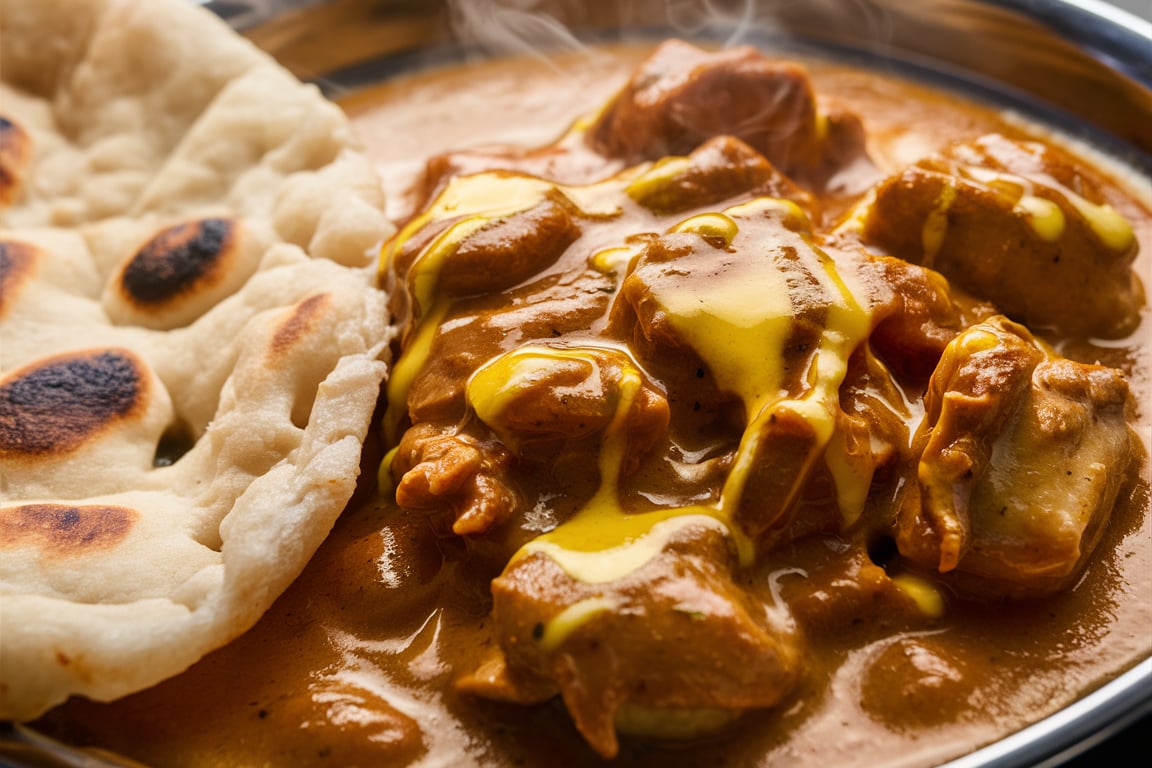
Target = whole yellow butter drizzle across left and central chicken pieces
(740,328)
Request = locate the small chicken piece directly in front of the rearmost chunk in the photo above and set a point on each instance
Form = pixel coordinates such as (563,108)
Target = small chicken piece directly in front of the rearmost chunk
(719,170)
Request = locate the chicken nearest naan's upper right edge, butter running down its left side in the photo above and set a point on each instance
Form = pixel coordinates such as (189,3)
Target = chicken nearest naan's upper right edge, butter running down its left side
(465,273)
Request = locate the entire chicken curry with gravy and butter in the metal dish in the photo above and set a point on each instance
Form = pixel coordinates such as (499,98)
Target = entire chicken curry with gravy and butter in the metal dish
(774,415)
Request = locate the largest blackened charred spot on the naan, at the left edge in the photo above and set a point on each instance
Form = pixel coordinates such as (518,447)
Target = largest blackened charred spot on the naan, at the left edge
(56,406)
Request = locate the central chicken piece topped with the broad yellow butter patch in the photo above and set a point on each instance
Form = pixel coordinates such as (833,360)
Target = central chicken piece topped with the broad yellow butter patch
(738,291)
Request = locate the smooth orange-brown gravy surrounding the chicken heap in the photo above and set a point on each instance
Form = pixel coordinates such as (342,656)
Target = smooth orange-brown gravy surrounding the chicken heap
(357,664)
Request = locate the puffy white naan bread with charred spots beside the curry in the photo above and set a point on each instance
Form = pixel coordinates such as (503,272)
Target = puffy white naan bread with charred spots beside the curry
(192,346)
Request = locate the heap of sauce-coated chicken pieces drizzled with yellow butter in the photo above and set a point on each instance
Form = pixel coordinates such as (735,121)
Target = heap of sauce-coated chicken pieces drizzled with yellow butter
(654,332)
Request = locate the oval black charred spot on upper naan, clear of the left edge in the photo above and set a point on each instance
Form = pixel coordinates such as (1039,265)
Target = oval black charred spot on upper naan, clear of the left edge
(178,261)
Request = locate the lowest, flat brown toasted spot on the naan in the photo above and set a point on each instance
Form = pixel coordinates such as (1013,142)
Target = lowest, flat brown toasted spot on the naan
(65,530)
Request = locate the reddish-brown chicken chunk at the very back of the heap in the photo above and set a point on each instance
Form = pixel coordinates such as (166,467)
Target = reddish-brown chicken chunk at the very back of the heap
(683,96)
